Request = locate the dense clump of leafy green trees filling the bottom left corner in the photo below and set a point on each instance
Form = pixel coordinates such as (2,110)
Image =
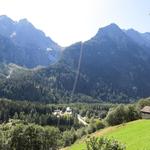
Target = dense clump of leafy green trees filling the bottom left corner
(22,136)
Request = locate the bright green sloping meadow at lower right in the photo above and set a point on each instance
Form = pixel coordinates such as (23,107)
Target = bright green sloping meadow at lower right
(135,135)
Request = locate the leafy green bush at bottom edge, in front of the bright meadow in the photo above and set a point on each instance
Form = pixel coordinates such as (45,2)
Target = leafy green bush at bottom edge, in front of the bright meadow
(104,144)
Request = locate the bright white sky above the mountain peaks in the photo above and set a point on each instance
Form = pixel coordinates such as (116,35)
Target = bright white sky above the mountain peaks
(70,21)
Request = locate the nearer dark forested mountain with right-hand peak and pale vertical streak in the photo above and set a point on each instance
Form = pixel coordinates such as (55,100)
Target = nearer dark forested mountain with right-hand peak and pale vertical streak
(114,67)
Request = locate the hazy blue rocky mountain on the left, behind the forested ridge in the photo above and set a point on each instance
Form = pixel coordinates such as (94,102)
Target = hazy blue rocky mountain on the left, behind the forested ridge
(35,48)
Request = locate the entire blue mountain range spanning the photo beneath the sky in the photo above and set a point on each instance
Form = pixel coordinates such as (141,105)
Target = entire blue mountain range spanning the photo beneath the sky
(114,66)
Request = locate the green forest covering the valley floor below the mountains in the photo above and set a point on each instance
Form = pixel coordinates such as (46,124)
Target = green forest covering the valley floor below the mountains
(25,123)
